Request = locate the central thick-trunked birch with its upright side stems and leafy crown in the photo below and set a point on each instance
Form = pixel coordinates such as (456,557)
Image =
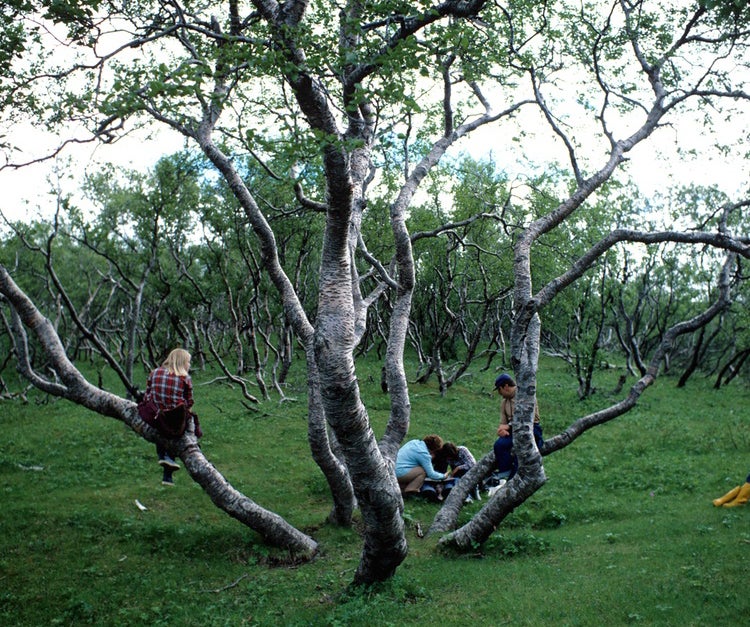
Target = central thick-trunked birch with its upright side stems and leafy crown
(204,68)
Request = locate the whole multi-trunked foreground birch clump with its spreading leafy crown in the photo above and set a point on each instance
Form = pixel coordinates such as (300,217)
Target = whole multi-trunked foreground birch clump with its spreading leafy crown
(333,88)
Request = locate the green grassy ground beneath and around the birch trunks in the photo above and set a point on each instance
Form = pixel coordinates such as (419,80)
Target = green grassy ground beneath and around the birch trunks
(623,533)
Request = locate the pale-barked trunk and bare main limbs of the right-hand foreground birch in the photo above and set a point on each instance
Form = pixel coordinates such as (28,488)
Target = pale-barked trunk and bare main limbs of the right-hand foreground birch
(528,305)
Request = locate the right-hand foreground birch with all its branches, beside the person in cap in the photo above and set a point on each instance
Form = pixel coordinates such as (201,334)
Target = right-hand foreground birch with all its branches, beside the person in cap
(667,82)
